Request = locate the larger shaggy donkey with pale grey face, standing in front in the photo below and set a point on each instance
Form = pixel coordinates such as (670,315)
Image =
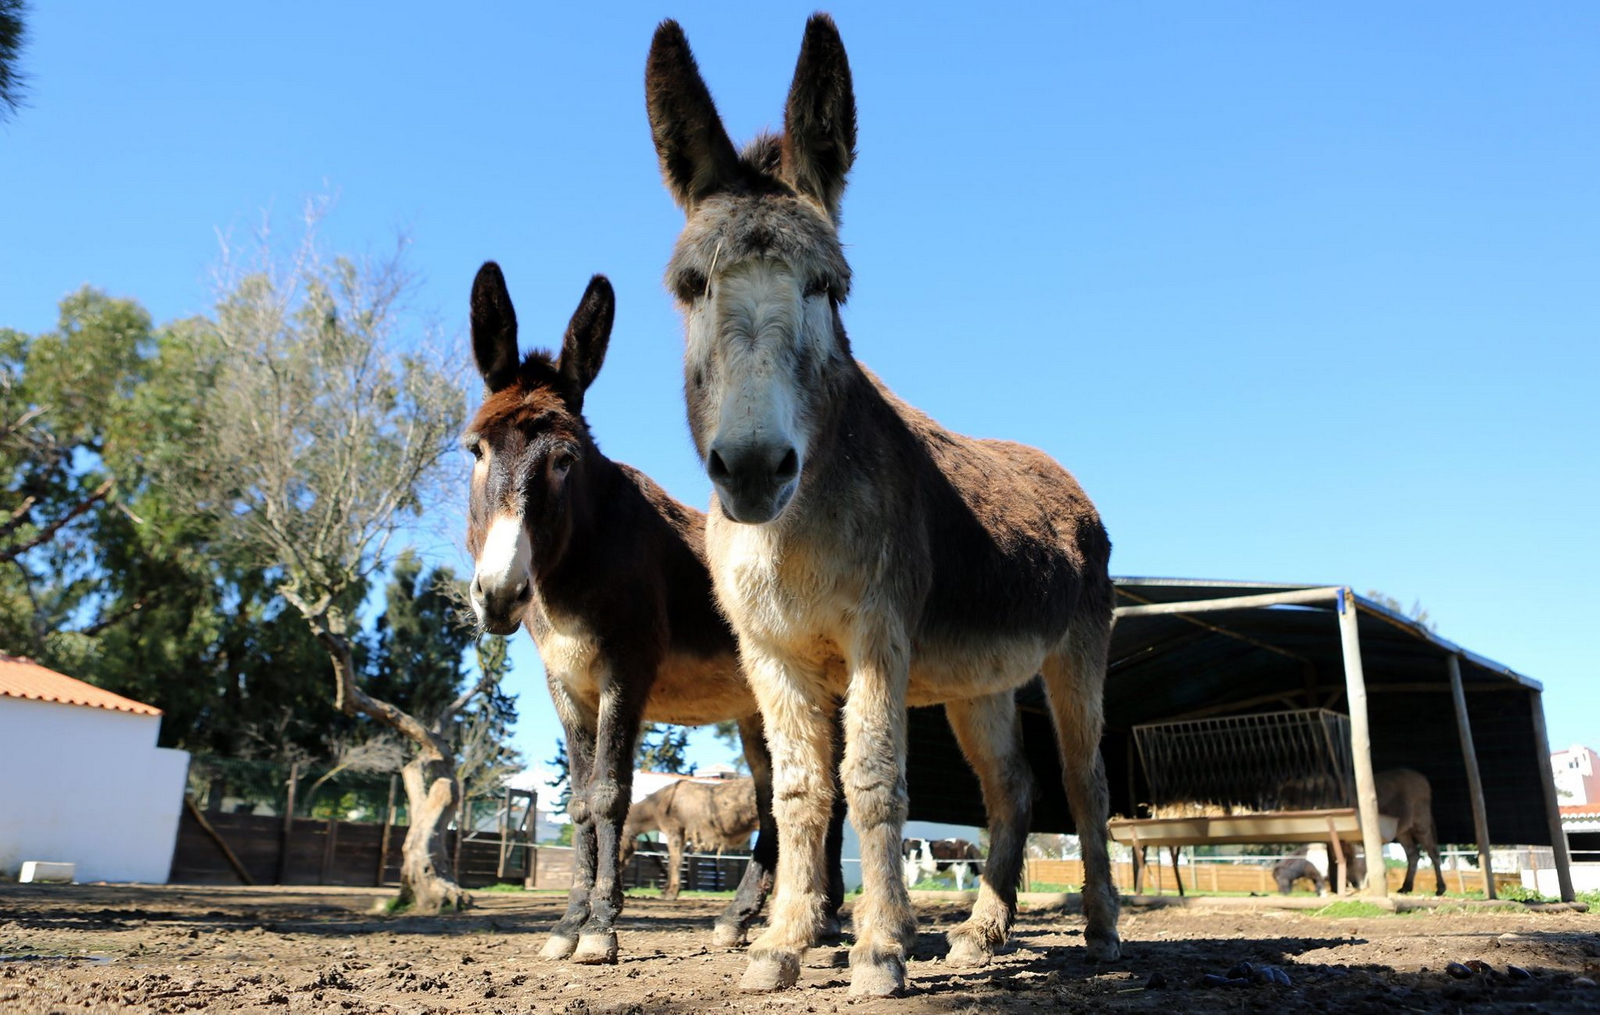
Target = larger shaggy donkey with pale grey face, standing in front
(862,550)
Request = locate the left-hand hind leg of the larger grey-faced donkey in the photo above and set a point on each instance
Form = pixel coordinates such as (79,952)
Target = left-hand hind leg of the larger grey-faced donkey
(991,739)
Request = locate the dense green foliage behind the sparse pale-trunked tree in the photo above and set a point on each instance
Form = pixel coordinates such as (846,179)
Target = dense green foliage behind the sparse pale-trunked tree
(116,576)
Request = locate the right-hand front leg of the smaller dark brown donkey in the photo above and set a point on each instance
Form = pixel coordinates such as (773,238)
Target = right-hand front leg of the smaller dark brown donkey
(622,708)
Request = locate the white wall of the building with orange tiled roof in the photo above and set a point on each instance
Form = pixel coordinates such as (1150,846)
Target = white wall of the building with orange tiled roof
(89,787)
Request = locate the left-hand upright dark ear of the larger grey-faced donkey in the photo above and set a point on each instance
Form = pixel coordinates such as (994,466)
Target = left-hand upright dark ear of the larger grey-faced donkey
(697,156)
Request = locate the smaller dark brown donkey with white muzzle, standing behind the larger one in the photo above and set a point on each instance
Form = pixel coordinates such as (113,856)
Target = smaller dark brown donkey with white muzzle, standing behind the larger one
(607,572)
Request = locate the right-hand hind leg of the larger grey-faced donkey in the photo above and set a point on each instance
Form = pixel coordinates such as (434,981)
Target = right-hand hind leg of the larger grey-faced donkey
(1074,681)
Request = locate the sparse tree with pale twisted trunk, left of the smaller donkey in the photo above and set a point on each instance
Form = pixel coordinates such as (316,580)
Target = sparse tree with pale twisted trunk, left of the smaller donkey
(326,436)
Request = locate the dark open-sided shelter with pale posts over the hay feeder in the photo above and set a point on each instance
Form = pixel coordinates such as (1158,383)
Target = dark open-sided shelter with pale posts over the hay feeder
(1186,649)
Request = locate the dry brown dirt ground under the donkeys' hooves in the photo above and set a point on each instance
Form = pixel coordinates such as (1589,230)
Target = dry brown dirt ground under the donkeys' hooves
(324,950)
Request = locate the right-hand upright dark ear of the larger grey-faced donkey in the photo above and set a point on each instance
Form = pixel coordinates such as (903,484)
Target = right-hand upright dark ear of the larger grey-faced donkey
(820,121)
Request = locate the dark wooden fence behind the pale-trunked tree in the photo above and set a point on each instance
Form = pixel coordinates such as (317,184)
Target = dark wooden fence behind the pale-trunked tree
(321,853)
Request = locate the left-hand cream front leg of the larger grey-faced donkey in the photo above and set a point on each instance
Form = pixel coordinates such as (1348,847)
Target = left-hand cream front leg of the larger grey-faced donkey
(799,732)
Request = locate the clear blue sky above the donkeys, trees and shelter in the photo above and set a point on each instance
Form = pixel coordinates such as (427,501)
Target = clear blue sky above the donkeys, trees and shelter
(1303,295)
